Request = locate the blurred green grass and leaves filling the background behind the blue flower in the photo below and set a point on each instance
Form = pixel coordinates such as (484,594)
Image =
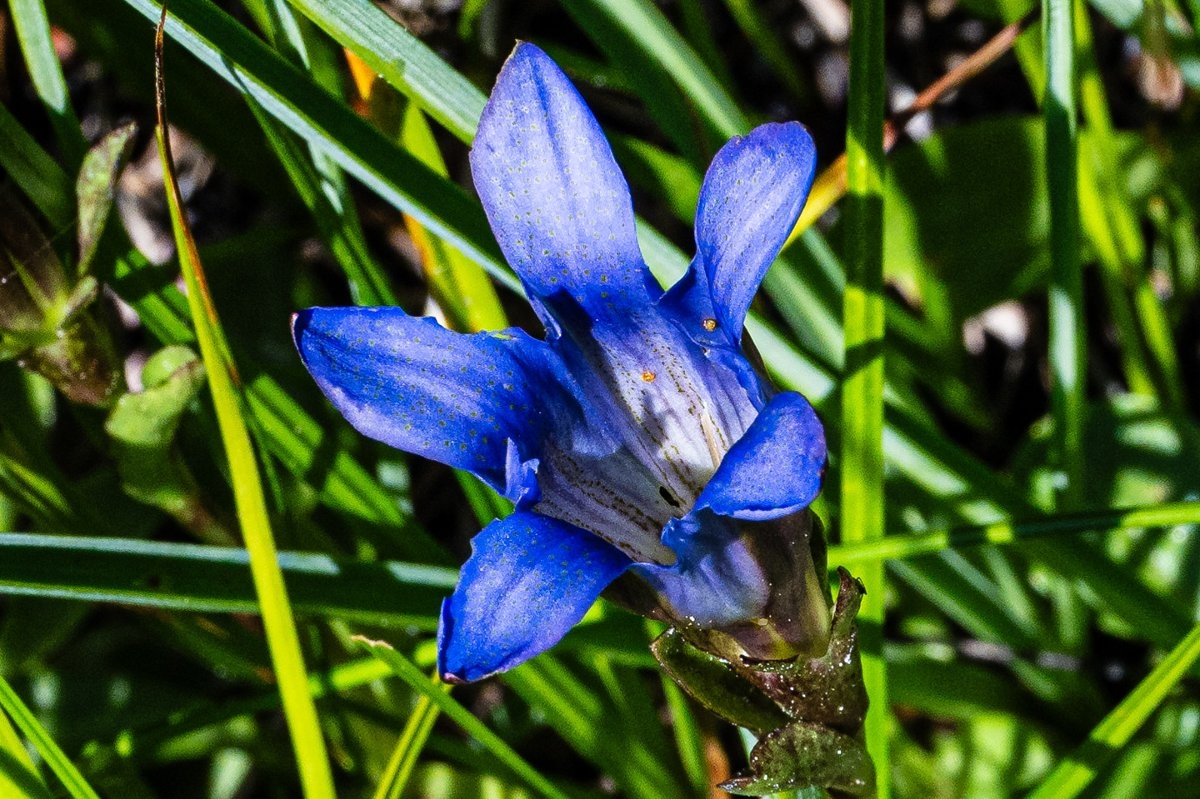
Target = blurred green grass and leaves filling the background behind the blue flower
(321,148)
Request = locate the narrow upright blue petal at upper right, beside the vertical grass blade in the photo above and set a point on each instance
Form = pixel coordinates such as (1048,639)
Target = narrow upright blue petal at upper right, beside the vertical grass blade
(752,196)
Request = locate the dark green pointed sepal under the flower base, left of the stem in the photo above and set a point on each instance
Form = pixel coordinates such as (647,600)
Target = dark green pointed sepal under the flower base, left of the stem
(715,684)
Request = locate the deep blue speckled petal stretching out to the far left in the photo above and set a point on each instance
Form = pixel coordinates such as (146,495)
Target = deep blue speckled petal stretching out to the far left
(412,385)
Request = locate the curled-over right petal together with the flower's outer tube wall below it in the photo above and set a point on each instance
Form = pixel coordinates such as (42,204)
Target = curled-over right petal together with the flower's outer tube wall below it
(747,534)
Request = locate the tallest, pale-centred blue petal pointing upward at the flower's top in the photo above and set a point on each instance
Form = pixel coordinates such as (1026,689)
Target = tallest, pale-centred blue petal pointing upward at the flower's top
(555,197)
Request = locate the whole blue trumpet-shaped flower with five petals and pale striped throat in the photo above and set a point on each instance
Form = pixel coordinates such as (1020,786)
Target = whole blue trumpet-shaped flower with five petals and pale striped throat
(637,441)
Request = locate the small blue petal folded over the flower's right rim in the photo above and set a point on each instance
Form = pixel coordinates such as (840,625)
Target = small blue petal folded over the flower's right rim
(776,470)
